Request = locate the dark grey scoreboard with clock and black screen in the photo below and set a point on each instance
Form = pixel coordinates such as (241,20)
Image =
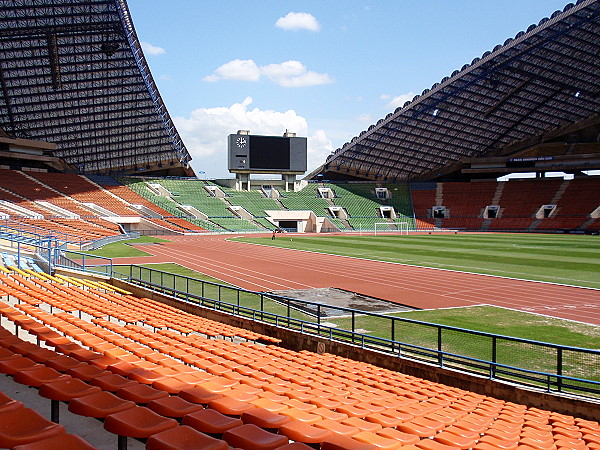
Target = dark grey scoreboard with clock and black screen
(267,154)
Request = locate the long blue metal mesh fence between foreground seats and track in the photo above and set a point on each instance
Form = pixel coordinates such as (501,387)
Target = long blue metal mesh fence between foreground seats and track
(552,367)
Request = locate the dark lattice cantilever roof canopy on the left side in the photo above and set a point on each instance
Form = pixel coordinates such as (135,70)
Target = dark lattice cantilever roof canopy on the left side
(72,72)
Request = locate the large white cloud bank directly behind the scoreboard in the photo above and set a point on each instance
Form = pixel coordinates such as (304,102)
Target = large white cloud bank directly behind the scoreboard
(205,134)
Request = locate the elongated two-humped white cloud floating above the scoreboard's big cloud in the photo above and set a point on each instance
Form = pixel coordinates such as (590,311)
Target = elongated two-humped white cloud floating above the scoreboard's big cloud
(287,74)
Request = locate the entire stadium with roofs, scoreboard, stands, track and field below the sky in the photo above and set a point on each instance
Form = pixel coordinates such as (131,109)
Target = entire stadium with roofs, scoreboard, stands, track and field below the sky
(398,296)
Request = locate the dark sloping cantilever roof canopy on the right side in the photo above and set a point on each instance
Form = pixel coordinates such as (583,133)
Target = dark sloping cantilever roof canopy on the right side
(544,79)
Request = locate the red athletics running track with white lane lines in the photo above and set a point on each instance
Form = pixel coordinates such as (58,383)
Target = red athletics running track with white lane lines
(263,268)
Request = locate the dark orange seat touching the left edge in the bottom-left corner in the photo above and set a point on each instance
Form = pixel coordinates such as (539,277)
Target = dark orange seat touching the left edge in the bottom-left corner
(24,425)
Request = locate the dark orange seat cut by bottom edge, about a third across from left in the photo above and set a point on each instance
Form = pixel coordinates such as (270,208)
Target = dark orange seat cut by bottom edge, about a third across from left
(184,438)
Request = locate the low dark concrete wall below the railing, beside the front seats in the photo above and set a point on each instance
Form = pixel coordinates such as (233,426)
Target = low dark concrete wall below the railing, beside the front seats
(294,340)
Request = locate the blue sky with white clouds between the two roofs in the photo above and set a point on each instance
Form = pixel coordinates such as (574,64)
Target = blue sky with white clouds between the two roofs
(324,69)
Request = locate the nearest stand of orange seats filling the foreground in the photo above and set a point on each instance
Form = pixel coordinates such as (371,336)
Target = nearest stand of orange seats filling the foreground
(139,364)
